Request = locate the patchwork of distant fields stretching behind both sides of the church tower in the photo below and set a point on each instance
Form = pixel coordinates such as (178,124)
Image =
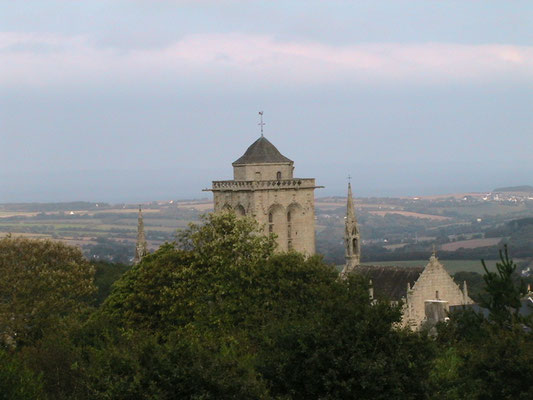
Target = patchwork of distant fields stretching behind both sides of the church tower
(451,223)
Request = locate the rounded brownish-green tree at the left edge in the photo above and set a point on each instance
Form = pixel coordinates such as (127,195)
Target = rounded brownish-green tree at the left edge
(42,282)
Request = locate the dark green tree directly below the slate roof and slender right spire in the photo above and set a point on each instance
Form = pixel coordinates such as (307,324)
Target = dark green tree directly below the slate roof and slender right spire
(345,347)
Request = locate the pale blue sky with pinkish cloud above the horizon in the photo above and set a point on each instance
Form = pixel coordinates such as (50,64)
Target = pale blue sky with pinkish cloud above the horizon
(138,100)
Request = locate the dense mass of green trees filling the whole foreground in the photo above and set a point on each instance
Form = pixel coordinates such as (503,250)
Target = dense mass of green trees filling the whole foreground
(219,315)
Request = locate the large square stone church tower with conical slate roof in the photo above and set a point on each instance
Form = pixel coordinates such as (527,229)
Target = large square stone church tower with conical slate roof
(263,187)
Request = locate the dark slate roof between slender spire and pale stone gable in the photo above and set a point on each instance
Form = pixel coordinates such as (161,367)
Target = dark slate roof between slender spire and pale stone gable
(390,282)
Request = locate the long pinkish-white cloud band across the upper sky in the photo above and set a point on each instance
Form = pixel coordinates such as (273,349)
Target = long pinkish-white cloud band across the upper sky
(31,59)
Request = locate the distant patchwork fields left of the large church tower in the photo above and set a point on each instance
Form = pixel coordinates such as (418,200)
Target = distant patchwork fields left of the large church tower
(78,225)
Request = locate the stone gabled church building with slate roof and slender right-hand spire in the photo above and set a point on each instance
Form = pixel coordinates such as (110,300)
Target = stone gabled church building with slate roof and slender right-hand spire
(426,293)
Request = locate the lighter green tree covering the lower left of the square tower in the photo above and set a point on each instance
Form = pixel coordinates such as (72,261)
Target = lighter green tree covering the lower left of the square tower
(195,279)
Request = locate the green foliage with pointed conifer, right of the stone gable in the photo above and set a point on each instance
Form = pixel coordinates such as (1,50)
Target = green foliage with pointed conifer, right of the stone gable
(488,358)
